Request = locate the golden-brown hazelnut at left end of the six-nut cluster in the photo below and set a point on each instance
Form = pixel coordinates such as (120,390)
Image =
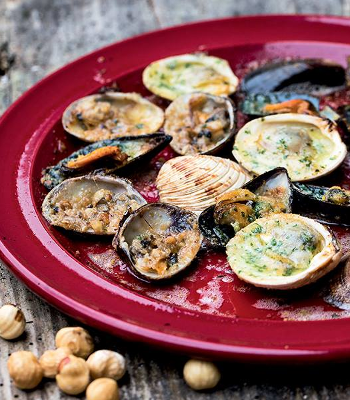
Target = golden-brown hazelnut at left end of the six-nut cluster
(24,369)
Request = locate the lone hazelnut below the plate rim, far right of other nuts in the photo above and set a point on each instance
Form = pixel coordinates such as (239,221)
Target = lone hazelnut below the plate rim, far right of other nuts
(201,375)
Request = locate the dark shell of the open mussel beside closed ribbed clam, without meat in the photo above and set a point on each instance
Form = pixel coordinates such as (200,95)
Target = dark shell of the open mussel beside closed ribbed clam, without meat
(219,235)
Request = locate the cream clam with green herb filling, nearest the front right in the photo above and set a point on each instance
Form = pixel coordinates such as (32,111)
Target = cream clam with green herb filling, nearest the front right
(283,251)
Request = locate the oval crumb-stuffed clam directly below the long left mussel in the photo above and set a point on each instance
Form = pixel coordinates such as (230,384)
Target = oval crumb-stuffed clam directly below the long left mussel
(92,204)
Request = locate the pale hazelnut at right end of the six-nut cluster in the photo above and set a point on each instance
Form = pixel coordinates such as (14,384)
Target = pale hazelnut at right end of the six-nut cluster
(106,364)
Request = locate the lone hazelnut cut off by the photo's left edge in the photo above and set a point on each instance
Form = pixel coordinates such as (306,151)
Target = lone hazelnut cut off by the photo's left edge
(12,322)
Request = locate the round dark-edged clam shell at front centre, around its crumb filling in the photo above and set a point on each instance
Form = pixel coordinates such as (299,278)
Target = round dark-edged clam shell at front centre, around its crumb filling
(158,217)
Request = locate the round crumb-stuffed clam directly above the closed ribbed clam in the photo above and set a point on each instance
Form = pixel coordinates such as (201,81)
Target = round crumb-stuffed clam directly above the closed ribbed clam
(199,123)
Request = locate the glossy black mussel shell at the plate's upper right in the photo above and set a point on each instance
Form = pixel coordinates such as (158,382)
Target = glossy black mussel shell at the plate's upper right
(314,77)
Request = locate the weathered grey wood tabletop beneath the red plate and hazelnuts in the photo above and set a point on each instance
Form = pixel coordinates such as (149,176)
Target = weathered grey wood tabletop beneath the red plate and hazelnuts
(39,36)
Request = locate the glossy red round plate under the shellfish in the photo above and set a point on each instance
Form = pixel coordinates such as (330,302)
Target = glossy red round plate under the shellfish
(207,312)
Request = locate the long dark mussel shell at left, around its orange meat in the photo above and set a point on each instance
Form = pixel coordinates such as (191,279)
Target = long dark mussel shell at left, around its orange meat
(140,149)
